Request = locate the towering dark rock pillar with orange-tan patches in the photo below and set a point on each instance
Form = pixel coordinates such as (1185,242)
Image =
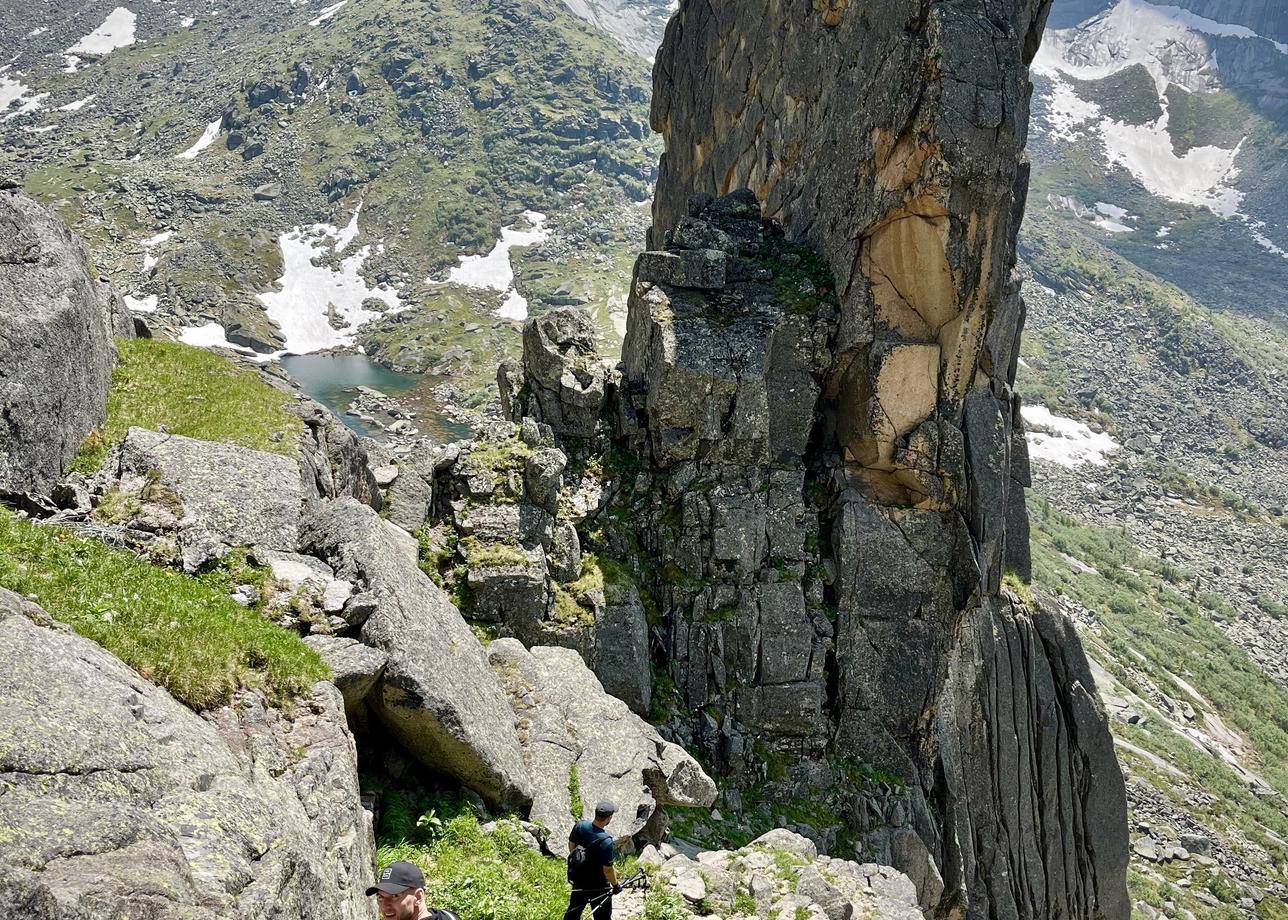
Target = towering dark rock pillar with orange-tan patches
(885,432)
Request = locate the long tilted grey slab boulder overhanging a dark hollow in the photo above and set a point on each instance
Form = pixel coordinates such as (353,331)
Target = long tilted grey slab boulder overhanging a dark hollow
(437,695)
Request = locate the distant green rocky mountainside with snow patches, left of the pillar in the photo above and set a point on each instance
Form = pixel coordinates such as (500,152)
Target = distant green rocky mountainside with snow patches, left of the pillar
(189,155)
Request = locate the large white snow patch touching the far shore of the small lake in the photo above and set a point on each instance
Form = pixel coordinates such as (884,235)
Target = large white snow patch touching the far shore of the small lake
(312,294)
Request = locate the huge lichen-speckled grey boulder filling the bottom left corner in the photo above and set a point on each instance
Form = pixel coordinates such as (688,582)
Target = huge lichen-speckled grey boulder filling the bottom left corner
(118,801)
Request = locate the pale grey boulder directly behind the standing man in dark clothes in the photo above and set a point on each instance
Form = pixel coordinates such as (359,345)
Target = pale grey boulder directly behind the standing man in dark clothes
(578,739)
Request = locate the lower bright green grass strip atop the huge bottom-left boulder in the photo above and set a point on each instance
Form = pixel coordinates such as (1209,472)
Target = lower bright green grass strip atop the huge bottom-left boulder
(180,632)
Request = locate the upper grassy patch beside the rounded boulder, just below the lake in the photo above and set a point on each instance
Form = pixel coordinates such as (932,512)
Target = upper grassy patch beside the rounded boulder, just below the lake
(166,386)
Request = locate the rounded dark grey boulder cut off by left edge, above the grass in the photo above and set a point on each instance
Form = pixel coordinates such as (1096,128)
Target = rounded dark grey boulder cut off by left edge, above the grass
(57,347)
